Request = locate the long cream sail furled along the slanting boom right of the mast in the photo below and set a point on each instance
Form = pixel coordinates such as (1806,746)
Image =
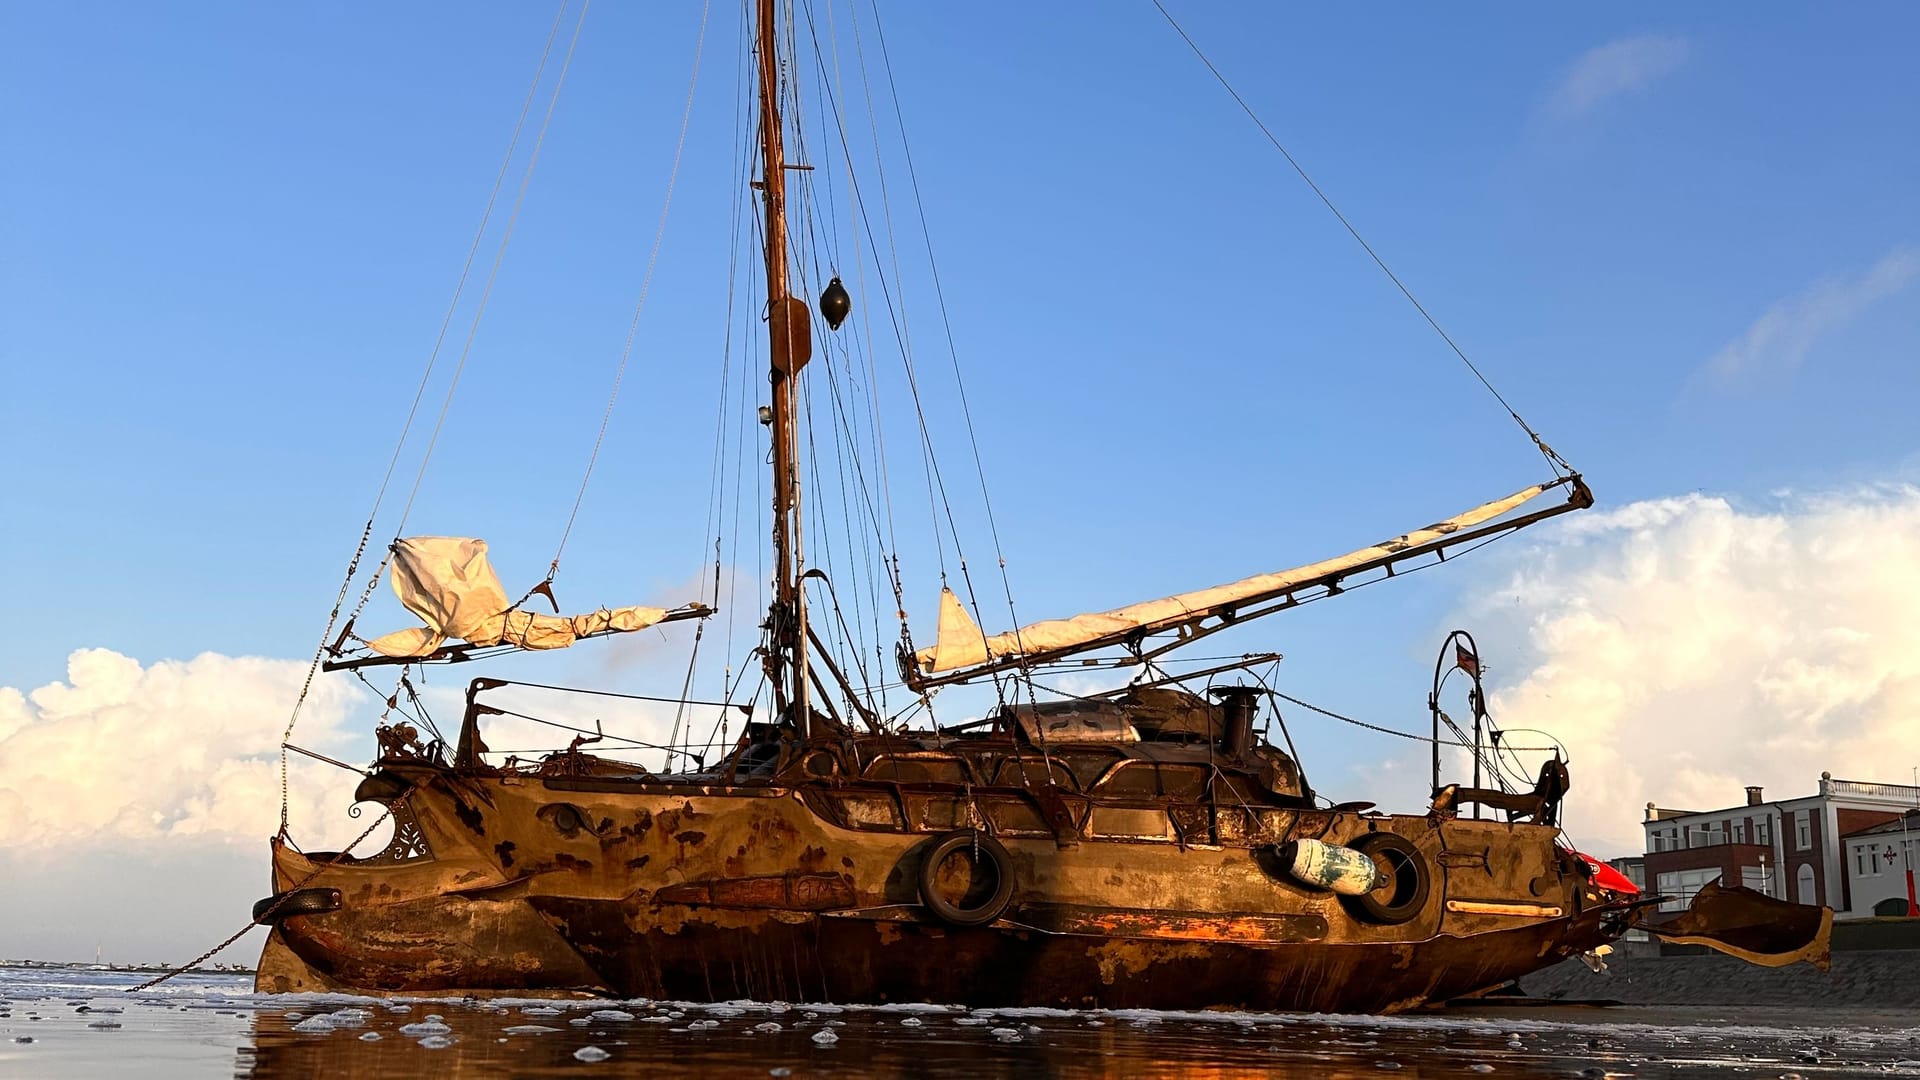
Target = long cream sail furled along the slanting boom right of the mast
(963,645)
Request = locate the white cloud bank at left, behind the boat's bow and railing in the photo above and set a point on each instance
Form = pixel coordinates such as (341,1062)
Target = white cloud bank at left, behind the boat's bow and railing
(164,779)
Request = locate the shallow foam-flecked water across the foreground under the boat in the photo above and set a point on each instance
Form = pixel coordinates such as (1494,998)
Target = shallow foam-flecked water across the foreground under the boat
(72,1023)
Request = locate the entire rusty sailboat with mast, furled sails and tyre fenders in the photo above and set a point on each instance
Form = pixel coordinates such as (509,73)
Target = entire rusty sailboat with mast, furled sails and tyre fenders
(1143,847)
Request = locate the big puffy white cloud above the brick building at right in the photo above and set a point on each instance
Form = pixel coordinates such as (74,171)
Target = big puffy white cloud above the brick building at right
(1687,649)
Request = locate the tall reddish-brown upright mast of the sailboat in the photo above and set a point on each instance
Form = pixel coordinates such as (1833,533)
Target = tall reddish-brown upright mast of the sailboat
(790,347)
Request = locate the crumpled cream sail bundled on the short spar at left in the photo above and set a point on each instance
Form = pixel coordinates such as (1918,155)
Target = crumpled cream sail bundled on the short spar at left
(452,587)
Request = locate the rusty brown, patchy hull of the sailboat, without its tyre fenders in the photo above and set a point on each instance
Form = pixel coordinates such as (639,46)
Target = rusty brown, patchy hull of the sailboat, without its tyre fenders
(652,891)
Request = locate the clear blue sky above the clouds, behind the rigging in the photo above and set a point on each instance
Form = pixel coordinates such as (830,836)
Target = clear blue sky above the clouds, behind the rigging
(1683,241)
